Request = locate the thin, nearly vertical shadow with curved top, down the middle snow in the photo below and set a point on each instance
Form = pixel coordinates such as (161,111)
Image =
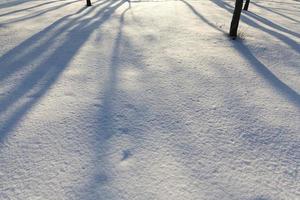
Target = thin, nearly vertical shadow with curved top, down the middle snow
(105,119)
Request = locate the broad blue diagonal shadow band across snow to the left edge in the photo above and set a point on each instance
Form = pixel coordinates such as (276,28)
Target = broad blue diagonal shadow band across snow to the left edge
(45,74)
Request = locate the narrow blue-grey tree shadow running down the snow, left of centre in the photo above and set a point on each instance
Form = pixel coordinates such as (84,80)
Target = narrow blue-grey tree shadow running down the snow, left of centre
(107,117)
